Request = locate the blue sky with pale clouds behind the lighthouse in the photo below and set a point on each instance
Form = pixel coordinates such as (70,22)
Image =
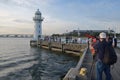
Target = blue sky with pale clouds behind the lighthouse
(60,16)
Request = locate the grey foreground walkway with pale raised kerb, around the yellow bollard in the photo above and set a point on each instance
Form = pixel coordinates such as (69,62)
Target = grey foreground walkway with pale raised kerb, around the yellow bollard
(87,62)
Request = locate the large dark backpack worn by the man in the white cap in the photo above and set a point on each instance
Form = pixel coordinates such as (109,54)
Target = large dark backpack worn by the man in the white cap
(110,56)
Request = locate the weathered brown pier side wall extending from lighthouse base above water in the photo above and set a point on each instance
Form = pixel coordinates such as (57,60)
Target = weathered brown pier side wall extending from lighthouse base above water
(72,48)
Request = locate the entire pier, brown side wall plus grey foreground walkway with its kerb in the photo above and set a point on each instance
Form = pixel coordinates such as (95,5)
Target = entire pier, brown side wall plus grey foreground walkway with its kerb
(85,61)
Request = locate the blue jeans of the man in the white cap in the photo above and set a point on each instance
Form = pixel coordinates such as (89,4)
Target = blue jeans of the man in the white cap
(100,68)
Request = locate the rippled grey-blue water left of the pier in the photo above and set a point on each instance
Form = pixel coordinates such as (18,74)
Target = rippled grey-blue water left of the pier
(18,61)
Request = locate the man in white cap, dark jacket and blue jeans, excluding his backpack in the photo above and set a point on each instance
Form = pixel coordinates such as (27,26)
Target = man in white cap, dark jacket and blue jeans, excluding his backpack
(100,66)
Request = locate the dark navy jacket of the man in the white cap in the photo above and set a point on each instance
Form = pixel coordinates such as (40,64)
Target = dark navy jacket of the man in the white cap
(100,49)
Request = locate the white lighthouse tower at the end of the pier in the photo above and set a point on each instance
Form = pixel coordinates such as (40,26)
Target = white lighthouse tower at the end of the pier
(38,27)
